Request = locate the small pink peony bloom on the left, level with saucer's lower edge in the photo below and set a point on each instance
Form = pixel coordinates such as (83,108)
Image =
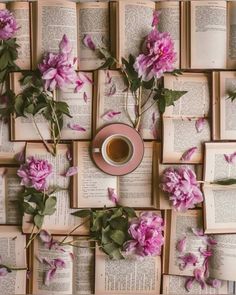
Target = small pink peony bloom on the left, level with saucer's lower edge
(34,173)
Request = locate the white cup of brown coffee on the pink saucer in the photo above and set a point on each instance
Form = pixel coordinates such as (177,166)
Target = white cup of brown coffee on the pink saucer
(116,150)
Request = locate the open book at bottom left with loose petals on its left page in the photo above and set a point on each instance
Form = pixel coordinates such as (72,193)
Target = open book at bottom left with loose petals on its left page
(76,278)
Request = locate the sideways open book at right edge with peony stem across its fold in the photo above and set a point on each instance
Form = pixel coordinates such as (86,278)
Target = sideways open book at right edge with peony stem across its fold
(219,210)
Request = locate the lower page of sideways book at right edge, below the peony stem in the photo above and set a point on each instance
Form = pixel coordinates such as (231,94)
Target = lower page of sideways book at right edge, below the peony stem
(220,206)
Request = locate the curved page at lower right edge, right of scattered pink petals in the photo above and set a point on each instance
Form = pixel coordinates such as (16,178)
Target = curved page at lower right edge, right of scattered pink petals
(222,264)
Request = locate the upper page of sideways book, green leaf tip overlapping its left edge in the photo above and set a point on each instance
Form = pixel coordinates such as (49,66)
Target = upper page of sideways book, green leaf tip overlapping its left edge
(196,102)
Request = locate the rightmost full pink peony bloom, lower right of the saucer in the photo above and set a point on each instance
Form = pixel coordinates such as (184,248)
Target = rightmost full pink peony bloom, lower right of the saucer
(182,186)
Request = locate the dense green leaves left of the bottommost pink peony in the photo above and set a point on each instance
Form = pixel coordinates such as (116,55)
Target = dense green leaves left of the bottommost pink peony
(109,227)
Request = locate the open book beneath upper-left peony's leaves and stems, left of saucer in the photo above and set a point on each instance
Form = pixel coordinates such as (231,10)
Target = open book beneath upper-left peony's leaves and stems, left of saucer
(28,128)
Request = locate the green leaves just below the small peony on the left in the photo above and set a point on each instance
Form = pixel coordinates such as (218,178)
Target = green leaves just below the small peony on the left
(38,204)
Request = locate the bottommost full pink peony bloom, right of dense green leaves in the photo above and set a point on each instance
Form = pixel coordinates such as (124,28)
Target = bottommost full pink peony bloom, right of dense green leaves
(146,234)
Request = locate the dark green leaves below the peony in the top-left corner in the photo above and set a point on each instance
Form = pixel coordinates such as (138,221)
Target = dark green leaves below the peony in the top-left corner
(8,56)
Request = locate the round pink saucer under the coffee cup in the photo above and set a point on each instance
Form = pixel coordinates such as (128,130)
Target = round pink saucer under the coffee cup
(122,129)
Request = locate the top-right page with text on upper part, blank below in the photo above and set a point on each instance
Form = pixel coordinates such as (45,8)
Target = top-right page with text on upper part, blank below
(208,34)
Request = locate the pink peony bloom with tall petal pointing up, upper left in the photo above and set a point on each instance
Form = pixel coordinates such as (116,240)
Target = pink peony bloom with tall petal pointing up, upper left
(57,69)
